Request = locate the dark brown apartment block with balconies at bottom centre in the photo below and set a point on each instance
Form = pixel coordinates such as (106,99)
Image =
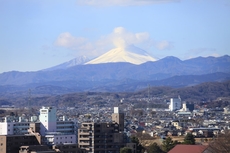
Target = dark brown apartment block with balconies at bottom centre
(103,137)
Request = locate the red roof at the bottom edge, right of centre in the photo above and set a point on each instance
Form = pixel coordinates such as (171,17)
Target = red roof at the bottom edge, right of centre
(188,149)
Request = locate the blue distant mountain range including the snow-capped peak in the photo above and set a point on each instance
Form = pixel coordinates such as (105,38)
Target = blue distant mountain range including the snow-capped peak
(126,69)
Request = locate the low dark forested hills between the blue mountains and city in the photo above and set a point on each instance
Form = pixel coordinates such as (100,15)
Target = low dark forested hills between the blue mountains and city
(206,92)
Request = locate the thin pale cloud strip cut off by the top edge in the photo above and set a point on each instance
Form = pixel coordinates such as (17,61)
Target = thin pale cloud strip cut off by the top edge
(122,2)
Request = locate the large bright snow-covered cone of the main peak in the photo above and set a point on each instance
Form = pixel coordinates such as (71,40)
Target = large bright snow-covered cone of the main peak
(130,54)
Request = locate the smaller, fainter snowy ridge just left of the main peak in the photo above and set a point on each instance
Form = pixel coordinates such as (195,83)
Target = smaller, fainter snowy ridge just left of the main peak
(76,61)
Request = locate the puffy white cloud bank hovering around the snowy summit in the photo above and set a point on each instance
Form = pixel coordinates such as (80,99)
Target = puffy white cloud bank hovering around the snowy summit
(119,37)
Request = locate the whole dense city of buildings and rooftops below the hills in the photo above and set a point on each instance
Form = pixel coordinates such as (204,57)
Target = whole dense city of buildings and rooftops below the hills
(108,125)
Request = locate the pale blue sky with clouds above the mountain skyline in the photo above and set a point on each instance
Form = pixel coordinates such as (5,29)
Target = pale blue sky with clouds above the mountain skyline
(37,34)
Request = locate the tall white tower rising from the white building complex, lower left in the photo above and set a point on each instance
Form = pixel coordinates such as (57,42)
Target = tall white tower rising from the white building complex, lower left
(48,120)
